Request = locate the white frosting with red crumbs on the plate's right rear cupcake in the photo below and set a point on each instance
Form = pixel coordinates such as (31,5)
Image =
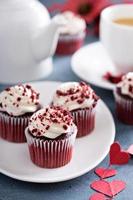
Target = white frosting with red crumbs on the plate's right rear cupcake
(74,95)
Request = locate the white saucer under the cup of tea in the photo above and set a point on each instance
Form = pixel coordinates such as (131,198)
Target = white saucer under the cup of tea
(91,62)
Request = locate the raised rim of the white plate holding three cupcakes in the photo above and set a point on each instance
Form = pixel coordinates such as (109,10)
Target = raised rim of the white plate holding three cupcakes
(69,177)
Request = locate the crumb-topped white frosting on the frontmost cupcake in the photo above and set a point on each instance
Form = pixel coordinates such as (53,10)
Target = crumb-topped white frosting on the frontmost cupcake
(50,122)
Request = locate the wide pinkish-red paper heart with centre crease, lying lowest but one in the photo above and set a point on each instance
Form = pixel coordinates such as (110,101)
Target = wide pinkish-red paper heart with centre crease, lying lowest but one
(108,188)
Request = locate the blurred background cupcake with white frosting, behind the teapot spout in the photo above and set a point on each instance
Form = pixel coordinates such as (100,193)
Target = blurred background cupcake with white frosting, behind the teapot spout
(72,34)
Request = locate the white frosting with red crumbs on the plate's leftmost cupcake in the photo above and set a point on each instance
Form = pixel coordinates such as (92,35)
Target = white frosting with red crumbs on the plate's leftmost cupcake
(19,100)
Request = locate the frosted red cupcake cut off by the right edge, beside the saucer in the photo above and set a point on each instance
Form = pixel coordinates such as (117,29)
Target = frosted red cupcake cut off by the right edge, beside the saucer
(123,94)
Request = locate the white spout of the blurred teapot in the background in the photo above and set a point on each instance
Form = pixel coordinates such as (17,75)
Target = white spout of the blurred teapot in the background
(45,40)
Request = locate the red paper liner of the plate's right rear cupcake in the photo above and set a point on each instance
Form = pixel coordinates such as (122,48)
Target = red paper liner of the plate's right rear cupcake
(84,120)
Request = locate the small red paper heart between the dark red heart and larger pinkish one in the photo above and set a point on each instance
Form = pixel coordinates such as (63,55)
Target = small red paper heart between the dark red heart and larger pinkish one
(105,172)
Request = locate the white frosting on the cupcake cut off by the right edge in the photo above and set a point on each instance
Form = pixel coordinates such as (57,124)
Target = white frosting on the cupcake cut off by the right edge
(126,85)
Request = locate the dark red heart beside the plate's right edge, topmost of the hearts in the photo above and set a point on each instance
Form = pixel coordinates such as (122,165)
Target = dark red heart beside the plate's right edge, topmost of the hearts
(118,156)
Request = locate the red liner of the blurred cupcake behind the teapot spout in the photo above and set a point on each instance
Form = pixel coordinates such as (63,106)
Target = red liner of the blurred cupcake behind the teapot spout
(69,45)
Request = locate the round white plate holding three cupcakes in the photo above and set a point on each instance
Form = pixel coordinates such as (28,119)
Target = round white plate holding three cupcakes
(89,151)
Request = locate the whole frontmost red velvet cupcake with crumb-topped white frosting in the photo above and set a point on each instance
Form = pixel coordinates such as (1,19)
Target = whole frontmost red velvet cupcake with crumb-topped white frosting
(50,136)
